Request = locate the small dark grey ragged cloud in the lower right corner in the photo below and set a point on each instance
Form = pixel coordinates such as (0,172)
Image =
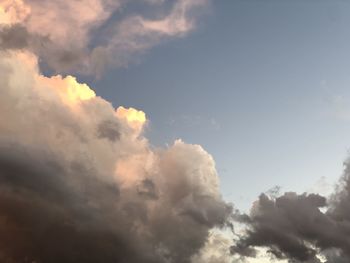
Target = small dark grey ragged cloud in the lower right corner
(300,227)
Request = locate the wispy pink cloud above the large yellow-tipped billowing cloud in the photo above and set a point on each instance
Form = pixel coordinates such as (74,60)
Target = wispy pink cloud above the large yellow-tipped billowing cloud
(88,36)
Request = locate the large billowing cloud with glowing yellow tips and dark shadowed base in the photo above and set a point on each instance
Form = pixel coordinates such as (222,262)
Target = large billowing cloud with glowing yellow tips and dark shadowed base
(80,183)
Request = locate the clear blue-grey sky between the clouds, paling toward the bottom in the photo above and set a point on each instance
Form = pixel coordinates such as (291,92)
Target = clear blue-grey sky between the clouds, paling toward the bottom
(262,85)
